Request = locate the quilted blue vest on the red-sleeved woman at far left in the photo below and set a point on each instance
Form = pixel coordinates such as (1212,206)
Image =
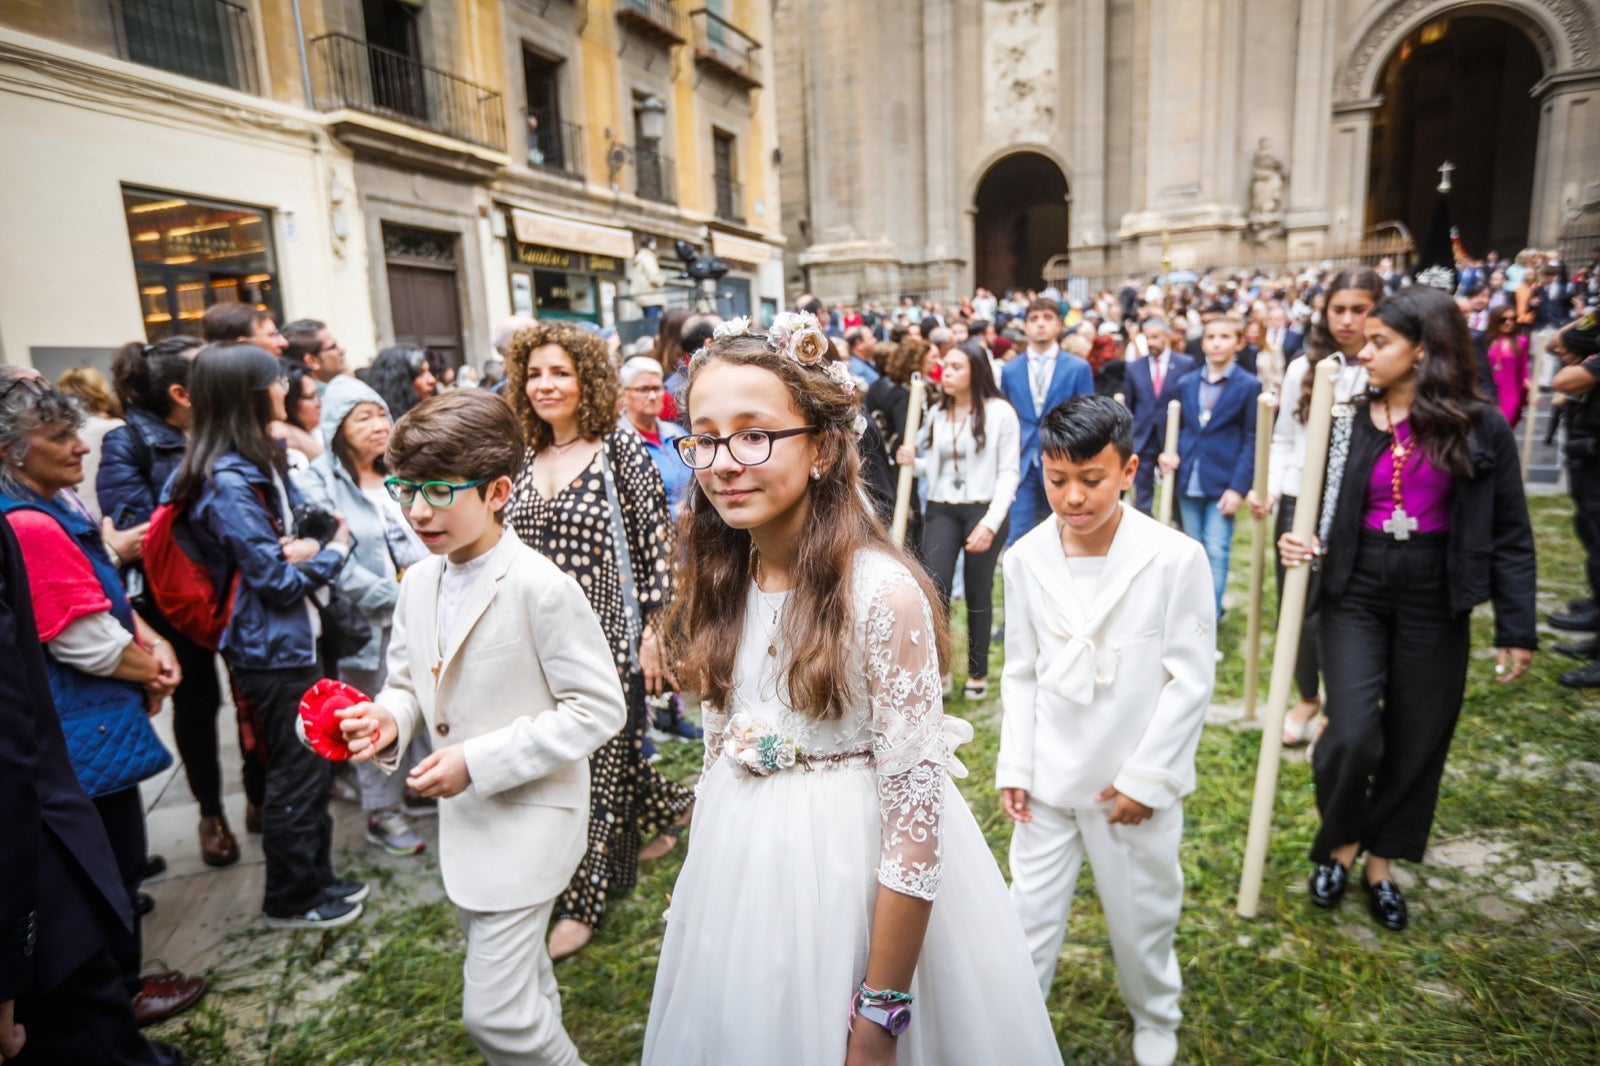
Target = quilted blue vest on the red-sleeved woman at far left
(110,739)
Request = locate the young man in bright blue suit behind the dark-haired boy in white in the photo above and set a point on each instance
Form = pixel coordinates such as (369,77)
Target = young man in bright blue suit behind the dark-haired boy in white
(1036,382)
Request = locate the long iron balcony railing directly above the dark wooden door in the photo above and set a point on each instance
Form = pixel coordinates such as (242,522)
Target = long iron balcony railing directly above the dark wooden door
(380,82)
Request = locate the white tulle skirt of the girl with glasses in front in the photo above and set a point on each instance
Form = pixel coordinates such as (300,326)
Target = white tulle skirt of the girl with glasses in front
(772,918)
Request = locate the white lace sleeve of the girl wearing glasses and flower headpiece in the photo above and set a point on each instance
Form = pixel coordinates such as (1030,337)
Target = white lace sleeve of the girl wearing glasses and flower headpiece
(908,739)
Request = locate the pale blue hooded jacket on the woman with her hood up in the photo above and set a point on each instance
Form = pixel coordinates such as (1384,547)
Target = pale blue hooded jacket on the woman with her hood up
(327,484)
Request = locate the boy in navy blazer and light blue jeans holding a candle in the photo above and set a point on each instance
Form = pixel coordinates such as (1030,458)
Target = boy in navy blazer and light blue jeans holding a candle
(1217,457)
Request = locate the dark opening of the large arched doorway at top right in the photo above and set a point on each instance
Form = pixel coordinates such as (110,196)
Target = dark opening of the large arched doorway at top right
(1458,90)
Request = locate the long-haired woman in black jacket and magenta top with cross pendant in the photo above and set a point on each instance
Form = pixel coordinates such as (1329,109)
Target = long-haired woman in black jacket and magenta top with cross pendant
(1423,519)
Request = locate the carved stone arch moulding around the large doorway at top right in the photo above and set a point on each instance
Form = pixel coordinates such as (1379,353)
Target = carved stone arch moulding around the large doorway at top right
(1580,36)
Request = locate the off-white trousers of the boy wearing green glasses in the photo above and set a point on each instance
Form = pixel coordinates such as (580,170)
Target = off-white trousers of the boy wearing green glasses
(511,1006)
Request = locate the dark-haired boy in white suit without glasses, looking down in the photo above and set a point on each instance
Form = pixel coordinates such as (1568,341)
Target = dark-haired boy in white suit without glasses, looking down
(1108,675)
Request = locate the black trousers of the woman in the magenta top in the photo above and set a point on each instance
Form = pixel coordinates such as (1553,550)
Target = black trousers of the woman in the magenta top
(1396,665)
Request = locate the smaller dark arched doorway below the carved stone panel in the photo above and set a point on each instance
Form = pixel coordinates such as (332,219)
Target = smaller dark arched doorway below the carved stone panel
(1022,222)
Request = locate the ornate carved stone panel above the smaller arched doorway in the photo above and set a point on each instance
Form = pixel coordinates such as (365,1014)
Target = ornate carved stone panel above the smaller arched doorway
(1022,89)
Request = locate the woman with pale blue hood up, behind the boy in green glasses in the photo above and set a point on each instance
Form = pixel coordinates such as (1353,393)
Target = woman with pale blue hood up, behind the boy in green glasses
(348,479)
